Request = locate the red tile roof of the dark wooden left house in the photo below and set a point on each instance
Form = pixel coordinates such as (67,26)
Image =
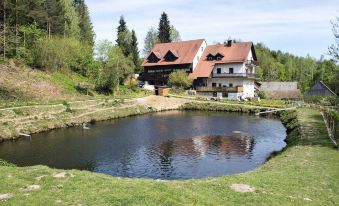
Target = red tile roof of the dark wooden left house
(185,50)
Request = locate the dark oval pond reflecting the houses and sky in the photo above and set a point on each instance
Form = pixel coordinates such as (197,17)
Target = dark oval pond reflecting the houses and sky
(166,145)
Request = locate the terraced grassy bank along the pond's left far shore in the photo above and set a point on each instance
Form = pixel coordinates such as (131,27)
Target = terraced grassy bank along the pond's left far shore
(34,119)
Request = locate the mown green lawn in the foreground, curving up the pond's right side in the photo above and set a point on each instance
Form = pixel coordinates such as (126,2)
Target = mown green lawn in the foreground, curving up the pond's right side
(305,173)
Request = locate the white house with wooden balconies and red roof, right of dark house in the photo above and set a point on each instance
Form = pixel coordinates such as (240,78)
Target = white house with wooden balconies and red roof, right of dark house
(226,71)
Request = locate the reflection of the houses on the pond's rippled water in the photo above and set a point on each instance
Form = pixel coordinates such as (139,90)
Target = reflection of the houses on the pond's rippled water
(193,149)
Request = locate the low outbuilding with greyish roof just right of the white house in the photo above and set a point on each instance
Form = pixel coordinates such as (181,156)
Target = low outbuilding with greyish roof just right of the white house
(280,90)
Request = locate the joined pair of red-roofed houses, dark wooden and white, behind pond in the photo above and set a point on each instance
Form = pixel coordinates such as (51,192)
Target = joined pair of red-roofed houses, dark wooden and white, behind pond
(223,70)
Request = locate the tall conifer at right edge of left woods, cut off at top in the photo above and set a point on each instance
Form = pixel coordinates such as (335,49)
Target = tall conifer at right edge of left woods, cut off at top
(85,24)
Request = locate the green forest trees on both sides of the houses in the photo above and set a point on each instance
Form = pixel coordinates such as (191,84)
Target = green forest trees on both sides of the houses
(54,35)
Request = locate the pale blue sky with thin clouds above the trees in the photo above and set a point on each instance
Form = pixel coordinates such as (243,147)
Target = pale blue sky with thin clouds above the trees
(300,27)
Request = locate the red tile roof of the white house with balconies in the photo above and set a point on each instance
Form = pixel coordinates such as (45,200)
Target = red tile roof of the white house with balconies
(238,52)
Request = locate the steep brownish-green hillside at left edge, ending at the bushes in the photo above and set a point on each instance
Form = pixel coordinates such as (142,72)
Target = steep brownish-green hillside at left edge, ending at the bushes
(23,84)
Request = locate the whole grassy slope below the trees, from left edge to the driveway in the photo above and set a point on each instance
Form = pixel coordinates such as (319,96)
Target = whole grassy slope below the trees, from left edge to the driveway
(21,85)
